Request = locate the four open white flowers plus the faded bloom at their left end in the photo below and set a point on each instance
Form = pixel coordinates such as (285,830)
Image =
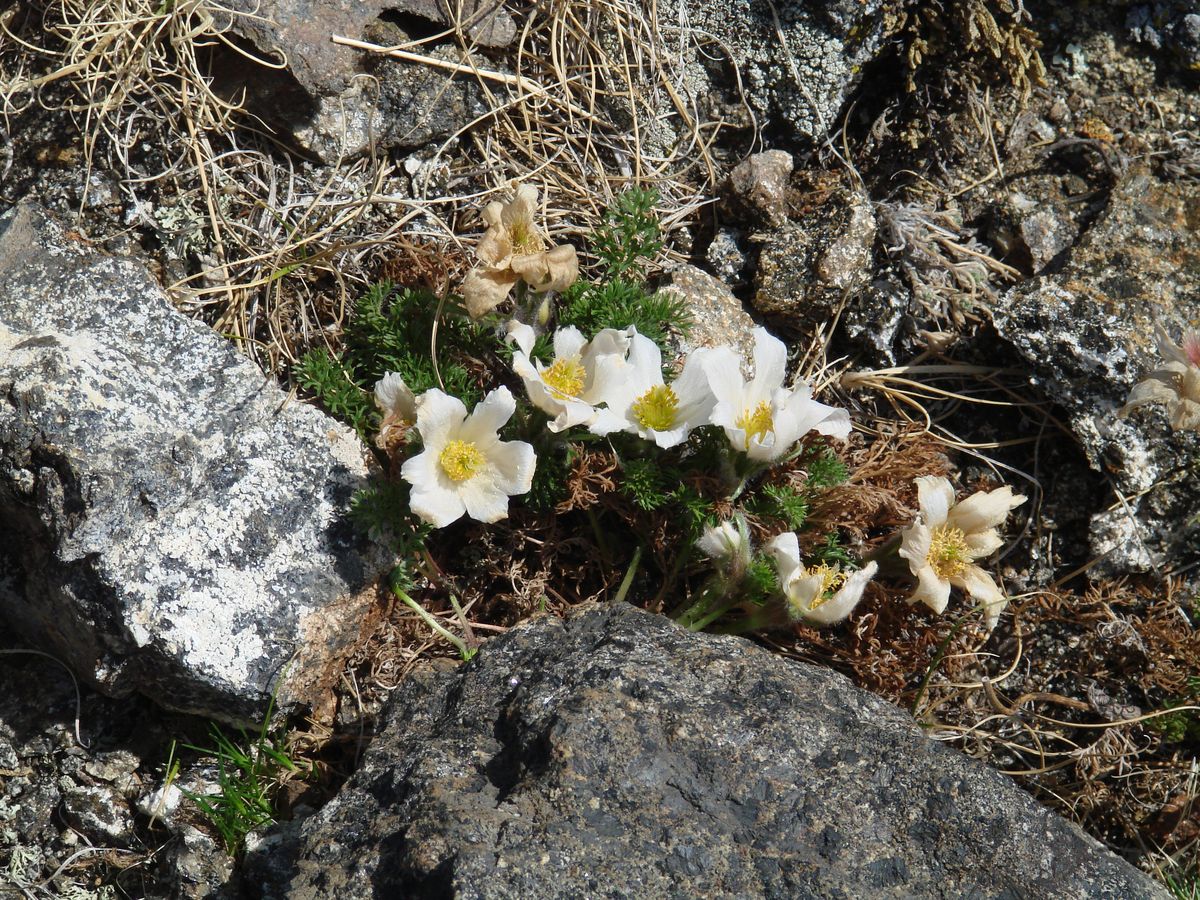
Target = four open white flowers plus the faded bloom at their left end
(613,383)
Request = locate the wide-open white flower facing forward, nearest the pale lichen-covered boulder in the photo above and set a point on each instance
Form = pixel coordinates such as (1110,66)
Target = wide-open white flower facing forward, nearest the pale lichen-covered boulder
(465,467)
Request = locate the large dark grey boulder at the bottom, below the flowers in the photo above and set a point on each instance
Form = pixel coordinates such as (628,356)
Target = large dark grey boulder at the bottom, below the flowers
(617,755)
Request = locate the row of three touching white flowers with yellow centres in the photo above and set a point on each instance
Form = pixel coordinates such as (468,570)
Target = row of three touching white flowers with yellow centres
(614,383)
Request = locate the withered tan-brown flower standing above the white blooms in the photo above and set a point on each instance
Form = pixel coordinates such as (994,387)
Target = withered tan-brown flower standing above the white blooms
(514,249)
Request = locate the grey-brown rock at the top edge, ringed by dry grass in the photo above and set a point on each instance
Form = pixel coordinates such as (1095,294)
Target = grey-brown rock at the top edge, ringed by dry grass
(331,112)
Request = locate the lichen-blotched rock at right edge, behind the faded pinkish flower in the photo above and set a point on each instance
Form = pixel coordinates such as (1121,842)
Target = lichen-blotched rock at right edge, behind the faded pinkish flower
(1089,334)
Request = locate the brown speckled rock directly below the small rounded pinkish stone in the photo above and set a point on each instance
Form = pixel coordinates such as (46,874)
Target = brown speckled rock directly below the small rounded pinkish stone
(807,269)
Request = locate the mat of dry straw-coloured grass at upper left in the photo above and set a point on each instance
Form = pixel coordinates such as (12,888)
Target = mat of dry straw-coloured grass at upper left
(274,251)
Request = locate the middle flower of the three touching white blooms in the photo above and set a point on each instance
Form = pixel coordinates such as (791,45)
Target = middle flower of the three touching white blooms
(643,404)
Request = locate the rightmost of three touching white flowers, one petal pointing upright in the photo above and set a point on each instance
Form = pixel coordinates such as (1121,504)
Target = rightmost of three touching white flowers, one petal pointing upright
(763,418)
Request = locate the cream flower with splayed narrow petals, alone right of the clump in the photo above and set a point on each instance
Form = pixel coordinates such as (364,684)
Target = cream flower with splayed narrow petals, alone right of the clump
(947,539)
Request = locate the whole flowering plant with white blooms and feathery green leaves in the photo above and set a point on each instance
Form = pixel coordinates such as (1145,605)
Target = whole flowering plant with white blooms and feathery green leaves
(731,446)
